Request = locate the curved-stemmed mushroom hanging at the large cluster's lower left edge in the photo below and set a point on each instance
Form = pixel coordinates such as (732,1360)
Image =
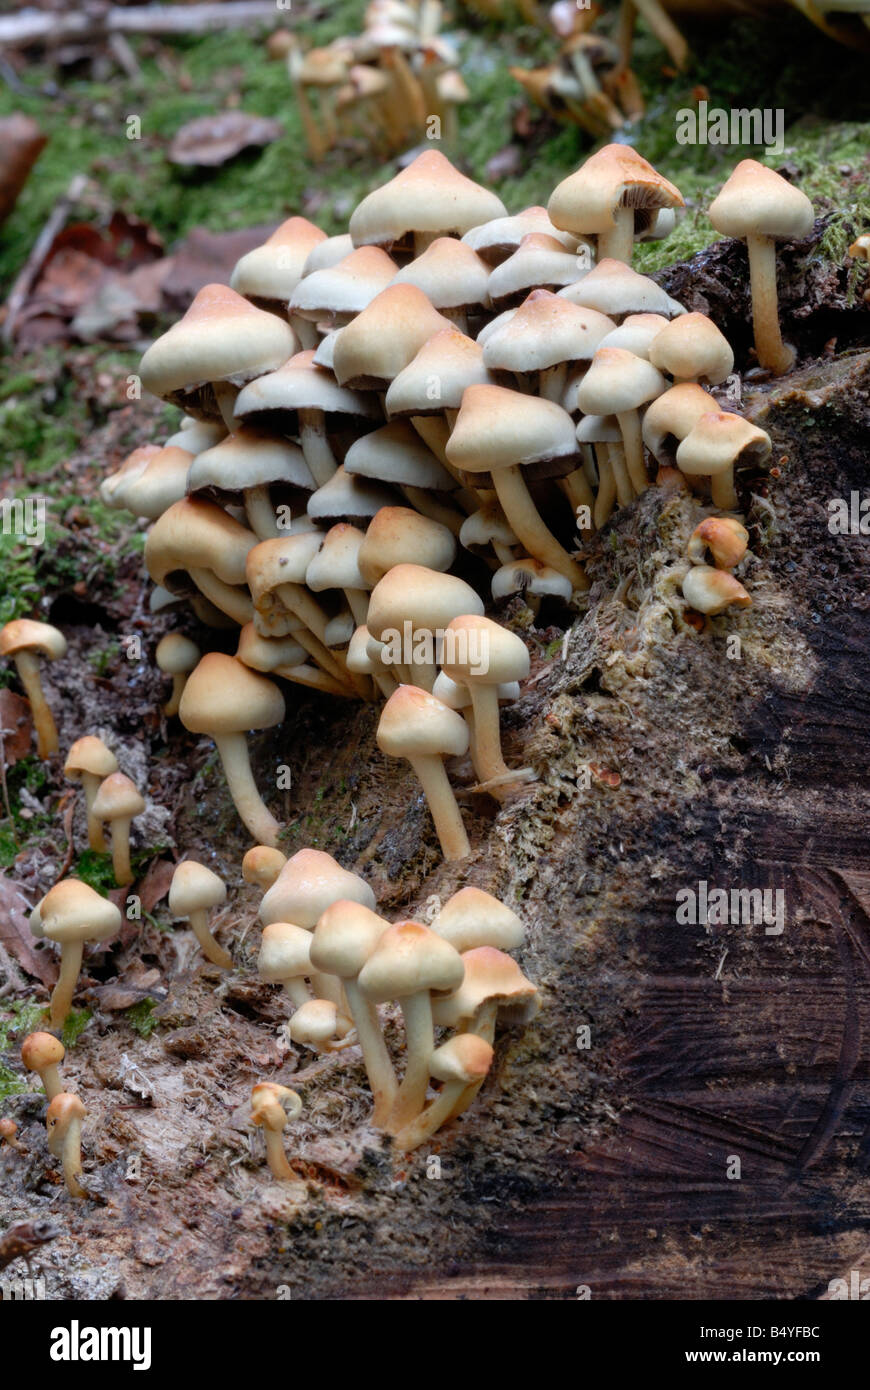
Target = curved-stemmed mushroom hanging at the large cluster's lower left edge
(223,698)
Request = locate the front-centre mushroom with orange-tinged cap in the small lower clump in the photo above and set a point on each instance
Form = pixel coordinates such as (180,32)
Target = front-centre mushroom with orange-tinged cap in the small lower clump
(408,963)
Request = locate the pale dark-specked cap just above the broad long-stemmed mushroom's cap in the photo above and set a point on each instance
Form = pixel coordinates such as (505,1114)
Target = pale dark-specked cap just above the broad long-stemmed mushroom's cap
(545,332)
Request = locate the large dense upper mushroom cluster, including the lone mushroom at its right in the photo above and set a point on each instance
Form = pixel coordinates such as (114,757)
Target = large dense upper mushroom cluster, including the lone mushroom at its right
(390,429)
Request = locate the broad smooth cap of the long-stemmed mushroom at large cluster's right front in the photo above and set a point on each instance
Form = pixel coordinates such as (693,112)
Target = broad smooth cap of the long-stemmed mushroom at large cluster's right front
(498,429)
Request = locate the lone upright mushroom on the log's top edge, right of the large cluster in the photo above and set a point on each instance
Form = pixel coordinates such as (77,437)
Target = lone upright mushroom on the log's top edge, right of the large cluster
(762,208)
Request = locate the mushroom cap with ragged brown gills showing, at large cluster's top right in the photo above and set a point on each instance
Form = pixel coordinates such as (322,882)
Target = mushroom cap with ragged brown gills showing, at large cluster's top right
(612,179)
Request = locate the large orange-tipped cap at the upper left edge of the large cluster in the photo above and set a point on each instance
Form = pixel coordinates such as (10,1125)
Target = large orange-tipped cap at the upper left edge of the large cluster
(220,338)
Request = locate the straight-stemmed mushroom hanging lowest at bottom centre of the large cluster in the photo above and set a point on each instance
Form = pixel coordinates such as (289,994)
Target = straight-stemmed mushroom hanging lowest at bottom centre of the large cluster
(419,728)
